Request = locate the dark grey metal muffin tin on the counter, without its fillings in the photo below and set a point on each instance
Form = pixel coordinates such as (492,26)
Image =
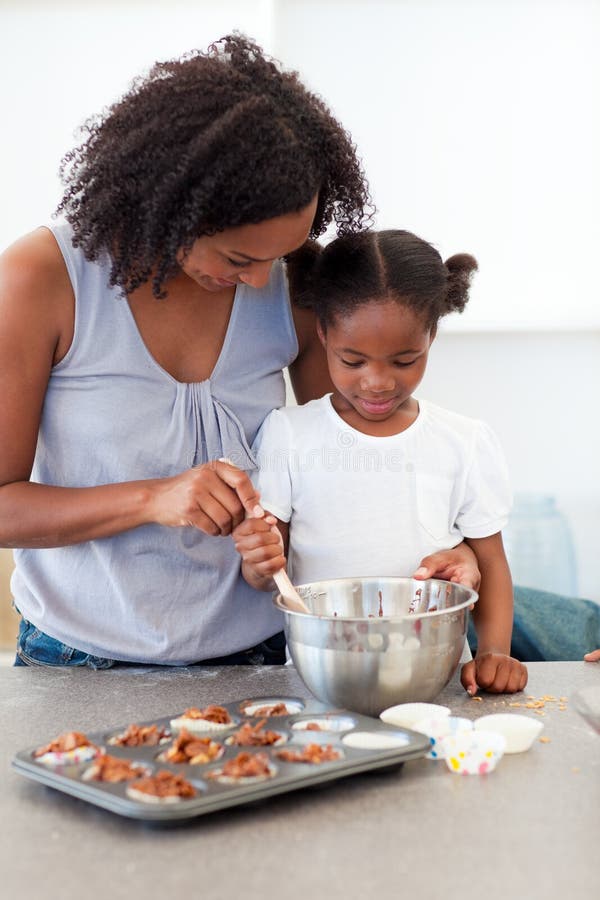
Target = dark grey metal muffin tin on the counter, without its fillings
(364,744)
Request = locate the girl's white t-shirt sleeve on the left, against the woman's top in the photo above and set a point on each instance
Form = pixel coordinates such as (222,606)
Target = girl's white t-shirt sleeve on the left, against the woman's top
(272,449)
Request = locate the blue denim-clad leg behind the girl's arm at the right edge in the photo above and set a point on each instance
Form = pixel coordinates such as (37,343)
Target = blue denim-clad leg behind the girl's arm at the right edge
(550,627)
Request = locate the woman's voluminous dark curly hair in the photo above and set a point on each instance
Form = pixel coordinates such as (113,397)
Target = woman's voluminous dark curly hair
(210,141)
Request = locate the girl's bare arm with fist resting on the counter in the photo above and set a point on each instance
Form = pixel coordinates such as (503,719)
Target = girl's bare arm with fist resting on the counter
(493,668)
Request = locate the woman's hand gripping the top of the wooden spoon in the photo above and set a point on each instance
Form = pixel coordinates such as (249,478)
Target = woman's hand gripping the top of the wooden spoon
(213,498)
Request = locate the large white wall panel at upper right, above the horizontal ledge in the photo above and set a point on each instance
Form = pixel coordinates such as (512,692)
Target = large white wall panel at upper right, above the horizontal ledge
(478,124)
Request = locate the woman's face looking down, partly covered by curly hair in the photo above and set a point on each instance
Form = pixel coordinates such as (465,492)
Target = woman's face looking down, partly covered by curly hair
(245,254)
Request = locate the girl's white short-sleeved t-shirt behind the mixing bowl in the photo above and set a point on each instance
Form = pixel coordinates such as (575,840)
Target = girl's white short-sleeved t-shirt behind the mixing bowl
(362,506)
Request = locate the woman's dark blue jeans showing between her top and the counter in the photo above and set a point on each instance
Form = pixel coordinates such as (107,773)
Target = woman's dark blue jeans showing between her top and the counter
(34,648)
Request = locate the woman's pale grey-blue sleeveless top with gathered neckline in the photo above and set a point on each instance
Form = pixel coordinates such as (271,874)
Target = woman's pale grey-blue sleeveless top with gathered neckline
(112,414)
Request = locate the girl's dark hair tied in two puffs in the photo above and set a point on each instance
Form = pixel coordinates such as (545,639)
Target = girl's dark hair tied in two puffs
(375,266)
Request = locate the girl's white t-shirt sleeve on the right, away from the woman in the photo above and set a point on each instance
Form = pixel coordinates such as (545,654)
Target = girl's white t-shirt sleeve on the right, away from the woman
(488,496)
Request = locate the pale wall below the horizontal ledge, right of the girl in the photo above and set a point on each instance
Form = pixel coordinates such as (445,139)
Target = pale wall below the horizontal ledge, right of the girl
(535,390)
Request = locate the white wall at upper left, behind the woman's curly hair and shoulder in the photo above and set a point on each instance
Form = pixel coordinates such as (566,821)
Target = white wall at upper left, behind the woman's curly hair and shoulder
(66,60)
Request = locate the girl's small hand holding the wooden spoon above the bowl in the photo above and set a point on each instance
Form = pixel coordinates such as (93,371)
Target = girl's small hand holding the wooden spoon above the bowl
(260,544)
